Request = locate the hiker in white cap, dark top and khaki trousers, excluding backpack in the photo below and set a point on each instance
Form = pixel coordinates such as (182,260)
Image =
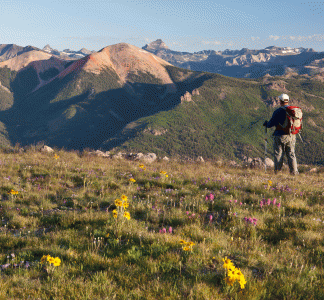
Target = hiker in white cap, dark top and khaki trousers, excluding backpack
(284,141)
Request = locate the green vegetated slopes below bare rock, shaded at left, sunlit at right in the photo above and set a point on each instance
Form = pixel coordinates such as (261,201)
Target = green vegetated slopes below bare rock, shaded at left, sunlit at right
(224,120)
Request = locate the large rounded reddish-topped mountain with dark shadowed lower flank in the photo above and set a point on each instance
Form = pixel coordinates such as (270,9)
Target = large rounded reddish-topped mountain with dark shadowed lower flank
(90,100)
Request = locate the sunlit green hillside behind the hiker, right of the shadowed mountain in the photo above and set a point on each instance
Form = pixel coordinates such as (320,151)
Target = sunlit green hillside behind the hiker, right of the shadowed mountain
(211,126)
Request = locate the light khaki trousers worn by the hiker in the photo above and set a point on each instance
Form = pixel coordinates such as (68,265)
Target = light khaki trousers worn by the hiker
(285,144)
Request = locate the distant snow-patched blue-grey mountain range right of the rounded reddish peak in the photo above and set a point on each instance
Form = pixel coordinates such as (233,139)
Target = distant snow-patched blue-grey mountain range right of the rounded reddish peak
(245,62)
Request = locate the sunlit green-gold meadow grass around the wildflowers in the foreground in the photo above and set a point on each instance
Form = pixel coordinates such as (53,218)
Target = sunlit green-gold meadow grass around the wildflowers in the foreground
(64,208)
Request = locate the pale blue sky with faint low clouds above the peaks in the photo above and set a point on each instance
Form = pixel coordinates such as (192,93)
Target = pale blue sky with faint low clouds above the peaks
(184,25)
